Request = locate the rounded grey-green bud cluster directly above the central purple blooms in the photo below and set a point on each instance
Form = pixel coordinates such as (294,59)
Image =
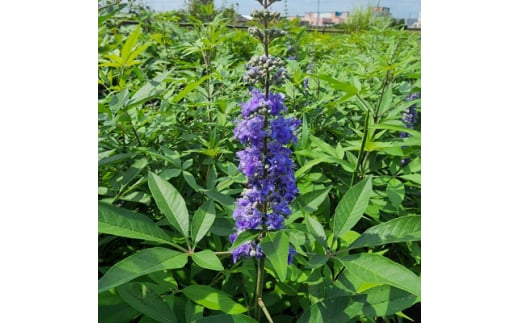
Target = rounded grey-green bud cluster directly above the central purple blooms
(265,70)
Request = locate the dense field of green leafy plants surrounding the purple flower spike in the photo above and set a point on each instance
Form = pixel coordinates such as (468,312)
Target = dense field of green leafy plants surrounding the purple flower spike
(170,101)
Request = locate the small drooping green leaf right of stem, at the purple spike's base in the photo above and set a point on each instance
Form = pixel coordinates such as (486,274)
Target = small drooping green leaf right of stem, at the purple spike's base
(275,246)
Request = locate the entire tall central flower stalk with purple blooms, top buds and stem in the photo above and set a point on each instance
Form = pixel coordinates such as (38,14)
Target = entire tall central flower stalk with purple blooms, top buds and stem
(266,160)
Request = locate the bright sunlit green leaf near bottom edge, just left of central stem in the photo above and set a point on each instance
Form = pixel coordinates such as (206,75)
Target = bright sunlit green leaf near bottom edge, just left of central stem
(213,299)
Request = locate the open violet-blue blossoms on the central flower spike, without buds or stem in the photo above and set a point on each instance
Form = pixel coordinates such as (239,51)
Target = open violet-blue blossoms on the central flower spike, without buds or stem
(268,167)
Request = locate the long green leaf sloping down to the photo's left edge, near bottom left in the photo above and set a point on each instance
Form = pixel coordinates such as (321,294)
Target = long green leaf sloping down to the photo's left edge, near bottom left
(141,263)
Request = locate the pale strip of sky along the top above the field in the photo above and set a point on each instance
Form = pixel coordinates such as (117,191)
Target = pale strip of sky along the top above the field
(398,8)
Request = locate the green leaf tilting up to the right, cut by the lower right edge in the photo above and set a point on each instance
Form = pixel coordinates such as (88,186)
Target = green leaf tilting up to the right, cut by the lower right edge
(406,228)
